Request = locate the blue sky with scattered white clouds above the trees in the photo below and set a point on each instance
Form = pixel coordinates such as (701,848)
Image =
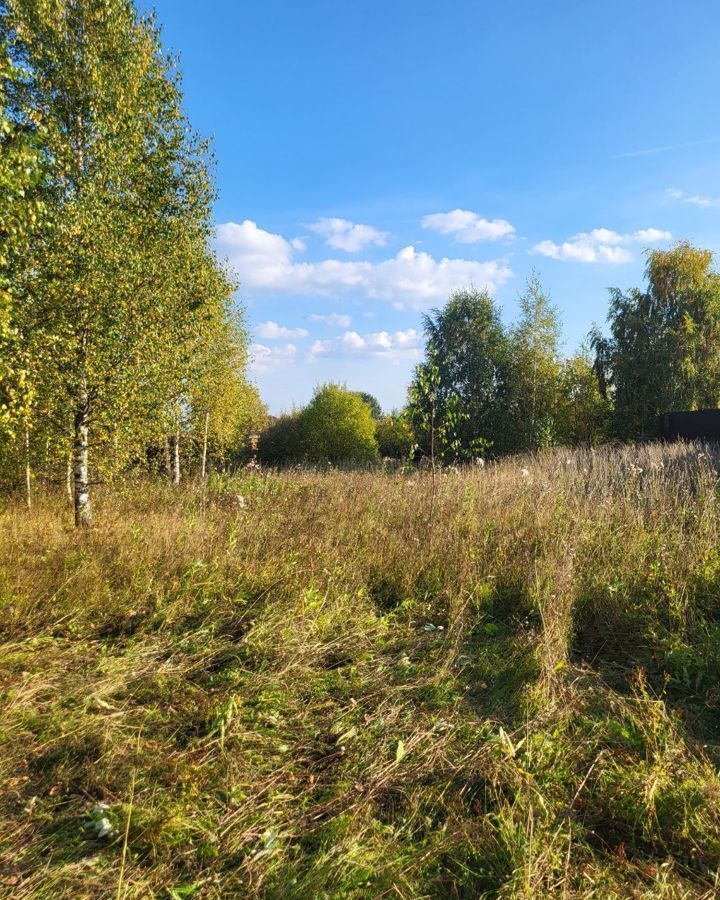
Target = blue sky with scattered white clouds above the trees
(374,155)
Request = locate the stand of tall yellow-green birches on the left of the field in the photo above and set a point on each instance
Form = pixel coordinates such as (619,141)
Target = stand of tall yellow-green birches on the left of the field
(119,341)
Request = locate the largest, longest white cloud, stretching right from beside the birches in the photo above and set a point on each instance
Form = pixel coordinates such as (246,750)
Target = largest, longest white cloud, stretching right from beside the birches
(413,279)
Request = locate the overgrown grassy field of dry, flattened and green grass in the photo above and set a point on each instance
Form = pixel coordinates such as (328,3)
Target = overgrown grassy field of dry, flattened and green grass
(290,685)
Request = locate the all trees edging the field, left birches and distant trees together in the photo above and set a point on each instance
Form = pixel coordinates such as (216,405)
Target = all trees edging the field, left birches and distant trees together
(120,344)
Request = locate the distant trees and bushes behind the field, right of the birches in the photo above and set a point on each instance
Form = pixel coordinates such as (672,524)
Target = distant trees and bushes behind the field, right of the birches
(487,389)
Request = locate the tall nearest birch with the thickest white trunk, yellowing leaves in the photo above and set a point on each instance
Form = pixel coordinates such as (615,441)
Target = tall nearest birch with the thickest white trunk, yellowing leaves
(129,190)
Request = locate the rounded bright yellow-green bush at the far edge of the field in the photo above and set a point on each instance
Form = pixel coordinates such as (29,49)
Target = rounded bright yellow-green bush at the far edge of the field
(338,426)
